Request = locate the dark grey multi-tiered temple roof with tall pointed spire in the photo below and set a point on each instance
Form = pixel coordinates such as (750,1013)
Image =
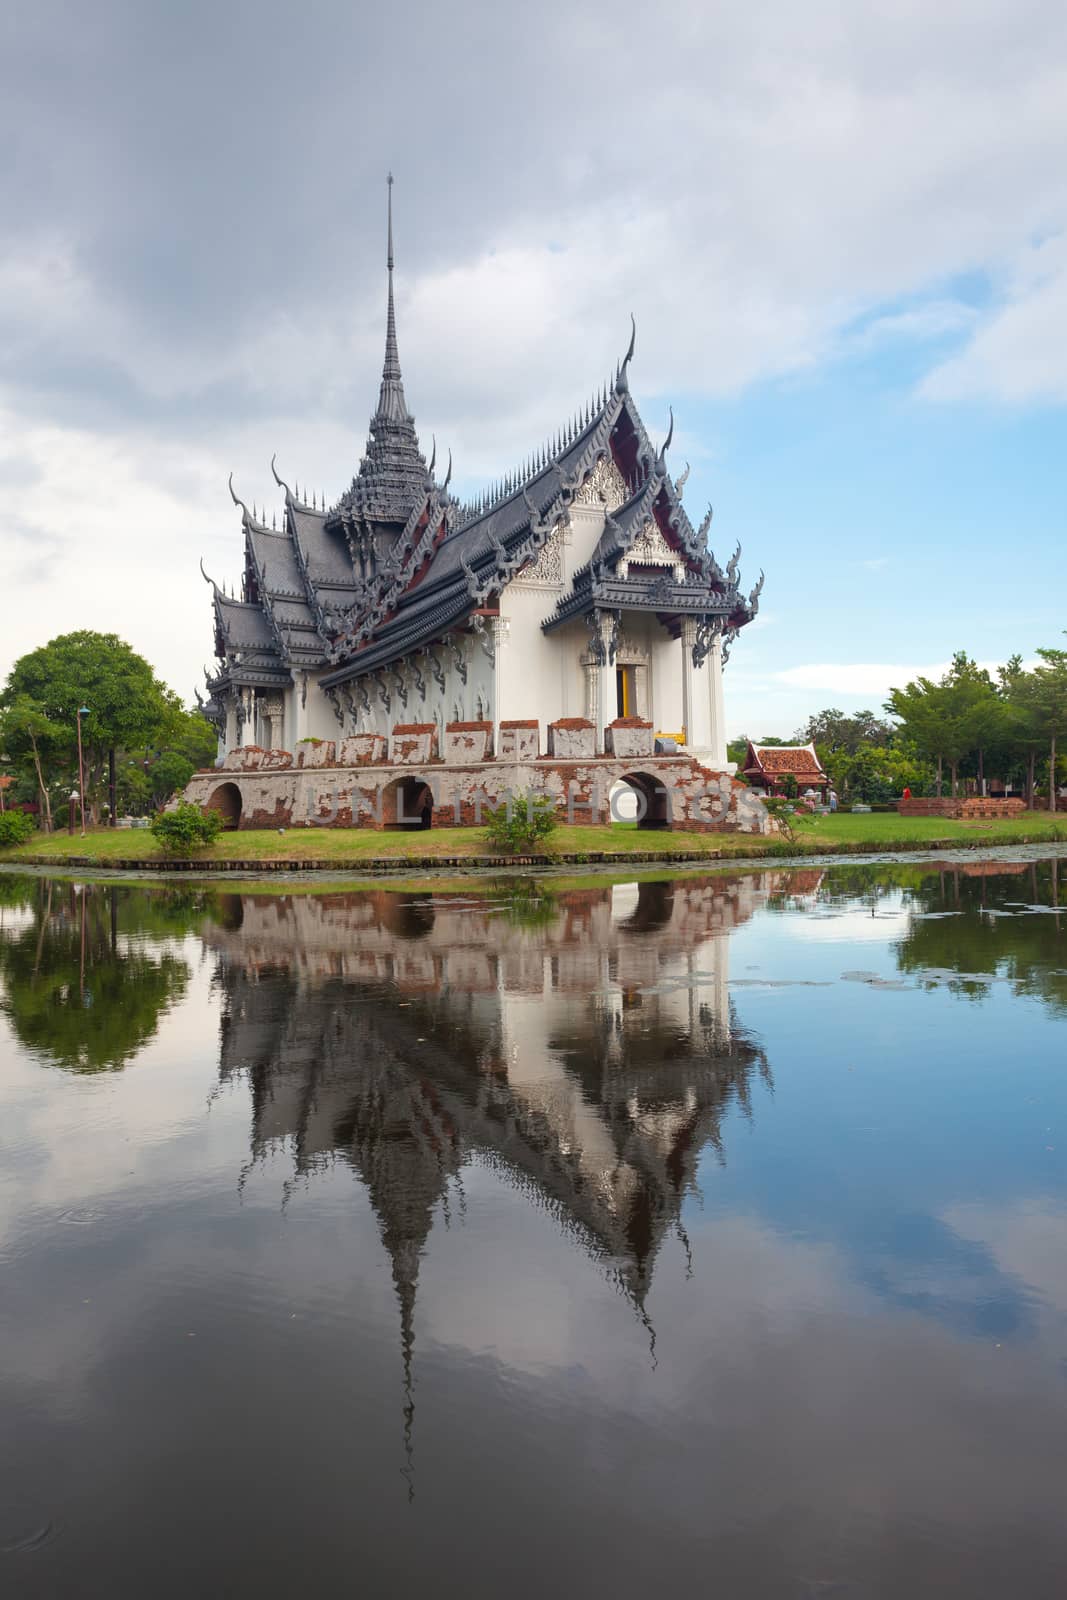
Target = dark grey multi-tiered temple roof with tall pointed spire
(398,564)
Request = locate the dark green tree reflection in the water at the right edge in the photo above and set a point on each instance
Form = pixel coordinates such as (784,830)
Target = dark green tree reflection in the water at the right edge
(1028,950)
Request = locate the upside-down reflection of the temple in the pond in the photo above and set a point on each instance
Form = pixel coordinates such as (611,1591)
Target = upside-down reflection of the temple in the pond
(581,1044)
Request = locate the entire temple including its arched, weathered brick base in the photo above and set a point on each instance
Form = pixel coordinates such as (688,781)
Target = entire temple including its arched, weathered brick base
(572,612)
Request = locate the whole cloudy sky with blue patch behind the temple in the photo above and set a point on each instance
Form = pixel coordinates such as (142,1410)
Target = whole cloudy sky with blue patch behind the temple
(842,230)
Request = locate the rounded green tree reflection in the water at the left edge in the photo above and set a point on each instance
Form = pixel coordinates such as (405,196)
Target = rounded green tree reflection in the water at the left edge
(78,990)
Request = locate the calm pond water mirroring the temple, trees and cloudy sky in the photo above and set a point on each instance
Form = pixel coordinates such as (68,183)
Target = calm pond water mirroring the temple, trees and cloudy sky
(537,1241)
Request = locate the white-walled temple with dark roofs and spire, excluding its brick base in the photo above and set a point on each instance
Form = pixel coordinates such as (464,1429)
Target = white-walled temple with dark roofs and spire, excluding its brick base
(578,586)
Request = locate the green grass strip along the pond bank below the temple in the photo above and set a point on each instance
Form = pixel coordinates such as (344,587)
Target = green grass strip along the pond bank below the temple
(350,847)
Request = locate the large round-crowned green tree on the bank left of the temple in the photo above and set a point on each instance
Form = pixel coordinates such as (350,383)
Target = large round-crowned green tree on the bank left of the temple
(127,703)
